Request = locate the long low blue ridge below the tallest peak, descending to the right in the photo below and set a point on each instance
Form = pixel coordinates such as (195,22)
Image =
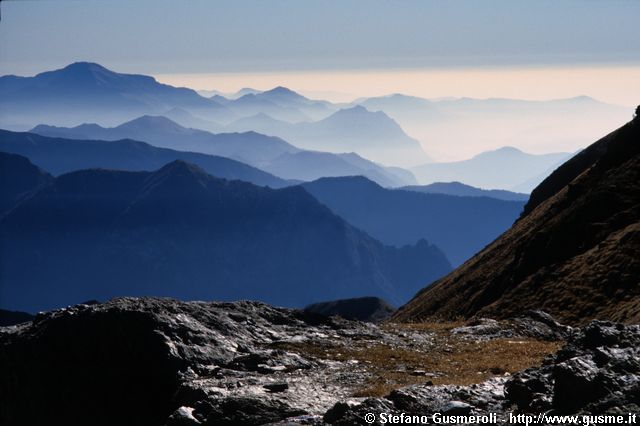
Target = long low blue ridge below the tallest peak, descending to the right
(268,153)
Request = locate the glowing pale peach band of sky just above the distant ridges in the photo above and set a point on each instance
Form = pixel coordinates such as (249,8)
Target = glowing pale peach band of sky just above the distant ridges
(348,86)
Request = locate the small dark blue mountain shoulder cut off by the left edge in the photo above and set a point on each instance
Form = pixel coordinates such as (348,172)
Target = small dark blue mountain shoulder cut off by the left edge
(19,178)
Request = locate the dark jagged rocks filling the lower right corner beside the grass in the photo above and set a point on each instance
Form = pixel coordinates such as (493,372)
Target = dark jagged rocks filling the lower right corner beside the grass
(596,373)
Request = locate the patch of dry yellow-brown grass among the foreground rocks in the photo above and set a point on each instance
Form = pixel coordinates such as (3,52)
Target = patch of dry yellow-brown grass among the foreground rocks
(450,360)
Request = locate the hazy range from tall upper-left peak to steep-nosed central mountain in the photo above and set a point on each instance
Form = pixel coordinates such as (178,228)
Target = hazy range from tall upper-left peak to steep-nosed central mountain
(90,93)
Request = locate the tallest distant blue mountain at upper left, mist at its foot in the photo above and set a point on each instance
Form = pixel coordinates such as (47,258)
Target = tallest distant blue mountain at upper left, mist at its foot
(88,92)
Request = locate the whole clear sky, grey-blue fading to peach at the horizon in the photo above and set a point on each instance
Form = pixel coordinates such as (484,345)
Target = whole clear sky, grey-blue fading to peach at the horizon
(350,47)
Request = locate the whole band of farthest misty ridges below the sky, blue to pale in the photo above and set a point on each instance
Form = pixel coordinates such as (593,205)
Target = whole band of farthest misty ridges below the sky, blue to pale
(374,128)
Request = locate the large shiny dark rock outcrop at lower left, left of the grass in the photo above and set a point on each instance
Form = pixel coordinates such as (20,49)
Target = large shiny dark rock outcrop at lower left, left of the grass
(137,361)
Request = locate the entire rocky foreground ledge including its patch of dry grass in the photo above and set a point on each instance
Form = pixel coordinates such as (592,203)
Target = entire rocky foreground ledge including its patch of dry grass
(164,362)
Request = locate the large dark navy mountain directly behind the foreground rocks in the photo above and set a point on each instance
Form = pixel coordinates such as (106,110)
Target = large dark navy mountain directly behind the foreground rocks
(96,234)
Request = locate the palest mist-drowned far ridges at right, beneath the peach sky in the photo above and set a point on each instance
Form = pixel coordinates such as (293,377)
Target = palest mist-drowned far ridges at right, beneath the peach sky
(466,123)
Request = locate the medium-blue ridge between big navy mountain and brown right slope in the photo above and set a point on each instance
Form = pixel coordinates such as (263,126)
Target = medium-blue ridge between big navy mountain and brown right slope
(460,226)
